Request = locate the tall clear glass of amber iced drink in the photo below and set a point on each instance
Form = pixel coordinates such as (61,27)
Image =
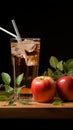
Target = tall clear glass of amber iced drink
(28,64)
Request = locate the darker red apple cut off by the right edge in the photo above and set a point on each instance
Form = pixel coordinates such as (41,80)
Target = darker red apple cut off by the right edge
(65,87)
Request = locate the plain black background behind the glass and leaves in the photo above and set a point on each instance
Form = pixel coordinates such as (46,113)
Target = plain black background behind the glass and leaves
(52,22)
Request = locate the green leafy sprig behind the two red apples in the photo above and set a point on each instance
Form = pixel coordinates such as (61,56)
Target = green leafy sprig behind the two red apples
(59,68)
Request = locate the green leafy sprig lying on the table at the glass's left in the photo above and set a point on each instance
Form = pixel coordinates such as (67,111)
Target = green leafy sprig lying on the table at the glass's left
(8,92)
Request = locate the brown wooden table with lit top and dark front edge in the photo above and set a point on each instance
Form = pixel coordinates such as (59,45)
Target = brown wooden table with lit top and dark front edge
(36,110)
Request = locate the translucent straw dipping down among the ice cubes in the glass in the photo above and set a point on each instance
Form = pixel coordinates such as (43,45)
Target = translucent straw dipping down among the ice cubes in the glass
(19,39)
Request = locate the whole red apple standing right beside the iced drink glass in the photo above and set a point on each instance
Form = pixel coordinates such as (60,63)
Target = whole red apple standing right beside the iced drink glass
(43,88)
